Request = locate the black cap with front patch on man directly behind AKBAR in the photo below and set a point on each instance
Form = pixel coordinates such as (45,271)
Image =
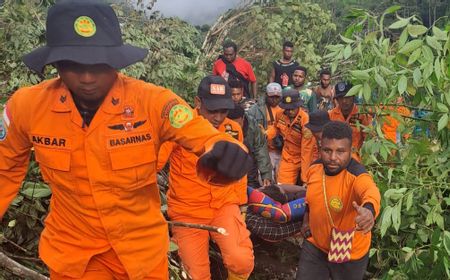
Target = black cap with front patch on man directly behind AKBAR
(215,93)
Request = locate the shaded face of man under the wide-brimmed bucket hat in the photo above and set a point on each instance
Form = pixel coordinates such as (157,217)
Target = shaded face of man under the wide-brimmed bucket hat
(89,84)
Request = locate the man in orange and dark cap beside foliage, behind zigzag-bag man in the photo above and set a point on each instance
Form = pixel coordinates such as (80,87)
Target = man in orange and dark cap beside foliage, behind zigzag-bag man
(347,111)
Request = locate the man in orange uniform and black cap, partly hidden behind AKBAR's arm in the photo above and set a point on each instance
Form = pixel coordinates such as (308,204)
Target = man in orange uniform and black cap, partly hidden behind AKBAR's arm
(191,200)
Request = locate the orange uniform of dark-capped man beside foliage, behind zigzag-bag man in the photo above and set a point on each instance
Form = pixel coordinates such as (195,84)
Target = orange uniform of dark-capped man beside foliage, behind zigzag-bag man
(354,119)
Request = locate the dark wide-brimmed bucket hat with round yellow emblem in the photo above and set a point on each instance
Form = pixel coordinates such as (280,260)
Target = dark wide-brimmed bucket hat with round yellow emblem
(86,32)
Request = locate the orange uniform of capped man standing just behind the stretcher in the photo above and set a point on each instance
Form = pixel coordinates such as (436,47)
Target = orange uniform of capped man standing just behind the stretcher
(298,149)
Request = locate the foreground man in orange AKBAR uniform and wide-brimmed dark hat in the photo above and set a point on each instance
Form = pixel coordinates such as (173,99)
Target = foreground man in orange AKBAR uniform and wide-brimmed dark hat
(96,135)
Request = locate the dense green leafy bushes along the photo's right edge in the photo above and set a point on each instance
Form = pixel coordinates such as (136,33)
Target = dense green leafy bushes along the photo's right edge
(412,233)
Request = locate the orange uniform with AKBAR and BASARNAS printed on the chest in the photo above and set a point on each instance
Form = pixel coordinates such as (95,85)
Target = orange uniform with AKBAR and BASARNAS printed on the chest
(103,177)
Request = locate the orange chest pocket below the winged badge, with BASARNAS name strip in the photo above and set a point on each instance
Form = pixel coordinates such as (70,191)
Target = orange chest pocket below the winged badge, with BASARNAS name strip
(133,161)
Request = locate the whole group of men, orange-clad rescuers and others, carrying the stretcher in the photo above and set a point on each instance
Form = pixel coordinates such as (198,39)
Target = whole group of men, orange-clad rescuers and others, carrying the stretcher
(284,164)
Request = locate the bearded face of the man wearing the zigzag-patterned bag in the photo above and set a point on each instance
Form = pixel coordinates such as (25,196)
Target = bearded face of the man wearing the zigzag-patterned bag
(335,154)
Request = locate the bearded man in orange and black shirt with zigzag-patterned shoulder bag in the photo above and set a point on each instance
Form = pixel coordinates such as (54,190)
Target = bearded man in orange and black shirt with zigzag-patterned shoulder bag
(343,202)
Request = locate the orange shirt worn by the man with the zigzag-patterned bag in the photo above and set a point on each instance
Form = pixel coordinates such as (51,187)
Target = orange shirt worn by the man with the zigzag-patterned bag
(352,184)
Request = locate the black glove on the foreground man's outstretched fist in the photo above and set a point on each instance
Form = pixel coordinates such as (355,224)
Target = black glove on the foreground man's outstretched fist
(228,159)
